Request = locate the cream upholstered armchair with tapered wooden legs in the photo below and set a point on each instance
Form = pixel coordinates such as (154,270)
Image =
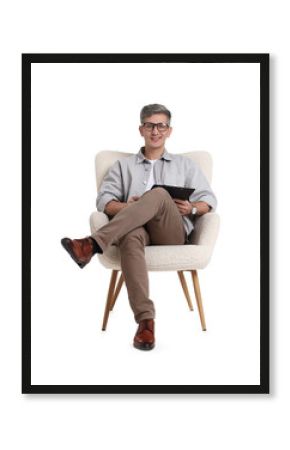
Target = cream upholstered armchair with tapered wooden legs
(177,258)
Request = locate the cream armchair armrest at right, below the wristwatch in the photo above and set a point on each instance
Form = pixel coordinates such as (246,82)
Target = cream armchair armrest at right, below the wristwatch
(206,229)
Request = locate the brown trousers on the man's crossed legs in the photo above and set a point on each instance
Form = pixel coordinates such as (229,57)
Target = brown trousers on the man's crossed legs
(153,220)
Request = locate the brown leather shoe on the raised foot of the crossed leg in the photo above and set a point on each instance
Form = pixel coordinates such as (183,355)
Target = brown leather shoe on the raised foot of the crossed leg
(81,250)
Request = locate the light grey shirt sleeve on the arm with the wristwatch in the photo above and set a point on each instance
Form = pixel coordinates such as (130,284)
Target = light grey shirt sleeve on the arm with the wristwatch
(203,191)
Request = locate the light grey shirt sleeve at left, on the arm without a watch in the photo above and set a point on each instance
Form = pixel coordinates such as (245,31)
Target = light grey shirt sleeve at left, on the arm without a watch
(111,187)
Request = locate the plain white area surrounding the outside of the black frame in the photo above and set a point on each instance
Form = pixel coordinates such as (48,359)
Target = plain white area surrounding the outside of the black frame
(61,421)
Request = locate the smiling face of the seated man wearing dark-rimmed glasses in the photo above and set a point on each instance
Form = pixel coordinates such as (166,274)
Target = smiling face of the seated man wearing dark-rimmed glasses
(153,137)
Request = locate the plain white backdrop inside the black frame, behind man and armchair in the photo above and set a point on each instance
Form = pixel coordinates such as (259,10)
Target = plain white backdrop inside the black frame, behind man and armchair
(78,109)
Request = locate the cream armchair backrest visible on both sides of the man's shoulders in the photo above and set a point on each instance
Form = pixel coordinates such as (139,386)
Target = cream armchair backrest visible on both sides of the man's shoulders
(105,159)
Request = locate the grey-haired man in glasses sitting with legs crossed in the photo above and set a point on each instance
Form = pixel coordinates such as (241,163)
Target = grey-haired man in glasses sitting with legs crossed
(141,216)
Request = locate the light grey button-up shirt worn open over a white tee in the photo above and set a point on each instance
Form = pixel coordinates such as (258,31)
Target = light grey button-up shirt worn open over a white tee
(129,176)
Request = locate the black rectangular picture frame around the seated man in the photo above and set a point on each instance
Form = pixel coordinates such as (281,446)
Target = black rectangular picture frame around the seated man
(263,60)
